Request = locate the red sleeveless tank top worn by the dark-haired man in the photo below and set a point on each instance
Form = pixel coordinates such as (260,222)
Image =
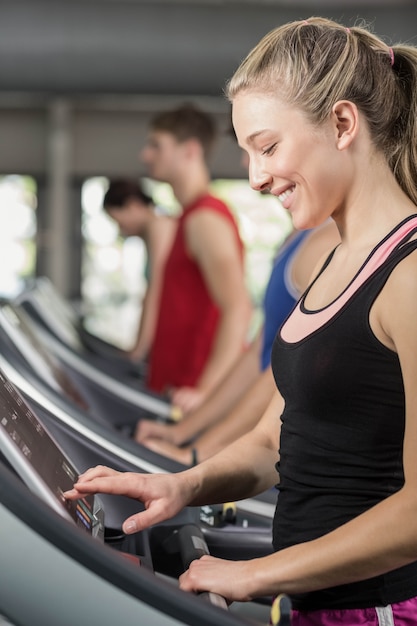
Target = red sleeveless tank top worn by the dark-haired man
(188,317)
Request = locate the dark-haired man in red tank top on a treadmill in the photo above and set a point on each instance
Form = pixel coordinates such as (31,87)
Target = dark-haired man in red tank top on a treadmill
(204,307)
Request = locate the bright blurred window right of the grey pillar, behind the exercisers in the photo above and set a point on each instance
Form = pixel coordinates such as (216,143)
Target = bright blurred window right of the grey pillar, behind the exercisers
(113,270)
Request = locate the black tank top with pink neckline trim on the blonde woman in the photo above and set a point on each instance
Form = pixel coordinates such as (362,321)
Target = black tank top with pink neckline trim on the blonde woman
(343,423)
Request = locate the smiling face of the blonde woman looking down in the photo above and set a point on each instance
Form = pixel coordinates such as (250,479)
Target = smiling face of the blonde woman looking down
(302,164)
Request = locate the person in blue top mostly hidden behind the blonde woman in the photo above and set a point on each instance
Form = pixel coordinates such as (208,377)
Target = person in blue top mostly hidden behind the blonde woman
(239,401)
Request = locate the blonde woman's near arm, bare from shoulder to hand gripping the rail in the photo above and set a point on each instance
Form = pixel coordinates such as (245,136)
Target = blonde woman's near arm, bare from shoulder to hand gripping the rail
(377,541)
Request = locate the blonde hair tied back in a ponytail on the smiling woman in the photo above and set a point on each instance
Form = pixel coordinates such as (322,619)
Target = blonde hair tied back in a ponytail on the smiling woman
(316,62)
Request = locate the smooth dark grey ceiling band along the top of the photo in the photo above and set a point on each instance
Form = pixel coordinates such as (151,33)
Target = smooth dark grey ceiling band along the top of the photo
(159,47)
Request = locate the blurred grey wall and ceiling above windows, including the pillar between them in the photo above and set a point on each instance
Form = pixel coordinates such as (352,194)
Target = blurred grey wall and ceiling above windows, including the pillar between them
(80,78)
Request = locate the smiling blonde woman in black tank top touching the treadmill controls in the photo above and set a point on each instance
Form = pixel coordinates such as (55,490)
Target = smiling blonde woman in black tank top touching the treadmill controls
(327,115)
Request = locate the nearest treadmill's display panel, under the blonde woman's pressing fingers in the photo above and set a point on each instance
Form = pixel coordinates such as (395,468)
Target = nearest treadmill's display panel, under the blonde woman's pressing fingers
(39,461)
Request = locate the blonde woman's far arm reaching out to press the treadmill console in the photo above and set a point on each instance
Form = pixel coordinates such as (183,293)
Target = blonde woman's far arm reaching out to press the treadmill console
(244,469)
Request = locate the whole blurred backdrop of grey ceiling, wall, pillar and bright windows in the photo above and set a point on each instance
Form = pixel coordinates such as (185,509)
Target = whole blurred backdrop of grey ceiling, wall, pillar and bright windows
(79,81)
